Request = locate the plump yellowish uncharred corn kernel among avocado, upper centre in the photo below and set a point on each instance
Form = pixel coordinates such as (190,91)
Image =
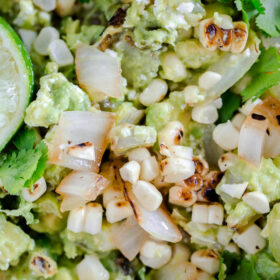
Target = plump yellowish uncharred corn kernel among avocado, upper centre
(173,67)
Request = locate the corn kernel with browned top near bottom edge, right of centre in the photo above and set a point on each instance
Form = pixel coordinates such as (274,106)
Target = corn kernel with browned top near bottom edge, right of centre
(207,260)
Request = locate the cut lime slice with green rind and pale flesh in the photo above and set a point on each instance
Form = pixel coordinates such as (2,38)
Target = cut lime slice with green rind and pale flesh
(16,82)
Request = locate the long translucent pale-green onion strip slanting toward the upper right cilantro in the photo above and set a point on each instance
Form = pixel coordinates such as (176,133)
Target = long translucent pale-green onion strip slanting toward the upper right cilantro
(232,67)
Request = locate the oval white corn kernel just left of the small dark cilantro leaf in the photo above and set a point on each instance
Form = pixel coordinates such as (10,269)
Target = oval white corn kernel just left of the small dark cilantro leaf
(206,114)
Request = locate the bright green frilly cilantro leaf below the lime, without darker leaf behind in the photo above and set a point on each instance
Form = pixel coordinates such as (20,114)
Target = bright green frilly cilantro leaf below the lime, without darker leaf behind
(23,168)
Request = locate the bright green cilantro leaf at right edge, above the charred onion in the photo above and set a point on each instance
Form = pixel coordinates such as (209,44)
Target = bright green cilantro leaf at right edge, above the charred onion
(265,74)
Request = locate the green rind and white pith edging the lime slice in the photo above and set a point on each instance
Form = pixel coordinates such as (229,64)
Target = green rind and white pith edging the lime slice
(24,65)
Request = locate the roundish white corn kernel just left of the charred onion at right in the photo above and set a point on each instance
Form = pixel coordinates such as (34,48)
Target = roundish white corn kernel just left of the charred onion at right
(226,136)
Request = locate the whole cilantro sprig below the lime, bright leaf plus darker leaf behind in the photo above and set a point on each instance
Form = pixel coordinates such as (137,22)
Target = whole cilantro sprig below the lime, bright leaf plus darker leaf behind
(25,165)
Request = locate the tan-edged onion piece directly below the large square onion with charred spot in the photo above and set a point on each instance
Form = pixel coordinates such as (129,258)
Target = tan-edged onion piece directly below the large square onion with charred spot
(83,185)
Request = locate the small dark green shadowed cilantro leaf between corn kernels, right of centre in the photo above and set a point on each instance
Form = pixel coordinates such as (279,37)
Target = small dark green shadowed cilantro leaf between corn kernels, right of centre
(231,103)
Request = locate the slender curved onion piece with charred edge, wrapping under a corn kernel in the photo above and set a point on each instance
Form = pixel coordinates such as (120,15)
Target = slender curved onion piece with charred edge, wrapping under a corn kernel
(157,223)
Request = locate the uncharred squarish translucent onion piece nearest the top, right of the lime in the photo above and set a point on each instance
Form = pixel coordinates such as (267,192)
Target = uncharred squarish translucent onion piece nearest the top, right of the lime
(98,72)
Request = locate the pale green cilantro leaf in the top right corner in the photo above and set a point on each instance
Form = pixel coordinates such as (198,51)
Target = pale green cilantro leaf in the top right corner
(269,22)
